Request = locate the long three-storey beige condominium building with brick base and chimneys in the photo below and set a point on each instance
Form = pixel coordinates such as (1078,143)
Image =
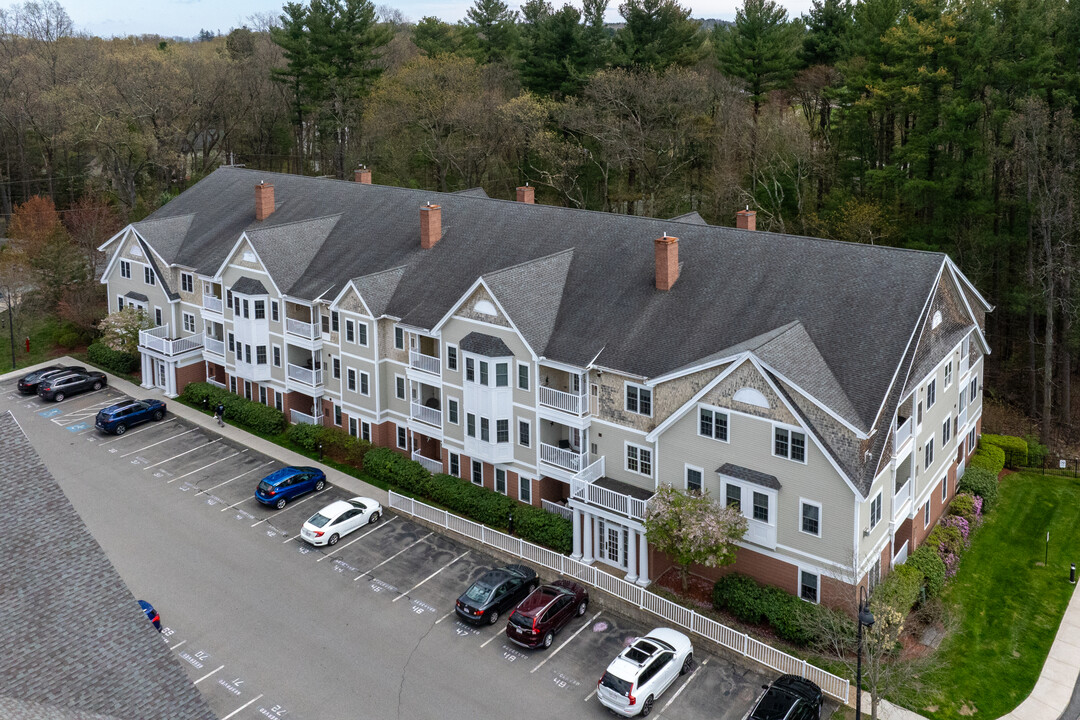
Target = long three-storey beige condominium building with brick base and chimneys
(577,360)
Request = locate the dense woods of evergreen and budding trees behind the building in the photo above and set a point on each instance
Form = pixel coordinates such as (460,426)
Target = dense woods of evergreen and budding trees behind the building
(933,125)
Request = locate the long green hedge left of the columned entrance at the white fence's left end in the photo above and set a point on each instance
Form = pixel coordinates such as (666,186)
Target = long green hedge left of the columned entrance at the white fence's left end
(463,498)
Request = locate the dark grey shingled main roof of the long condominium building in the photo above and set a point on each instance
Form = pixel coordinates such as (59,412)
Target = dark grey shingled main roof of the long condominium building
(858,305)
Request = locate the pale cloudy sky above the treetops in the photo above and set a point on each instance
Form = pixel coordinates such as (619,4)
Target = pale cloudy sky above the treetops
(186,18)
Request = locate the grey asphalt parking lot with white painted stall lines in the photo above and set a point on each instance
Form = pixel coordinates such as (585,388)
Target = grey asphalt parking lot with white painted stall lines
(385,594)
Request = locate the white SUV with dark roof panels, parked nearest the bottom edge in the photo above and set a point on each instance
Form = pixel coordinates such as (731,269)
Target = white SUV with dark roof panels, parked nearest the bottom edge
(644,671)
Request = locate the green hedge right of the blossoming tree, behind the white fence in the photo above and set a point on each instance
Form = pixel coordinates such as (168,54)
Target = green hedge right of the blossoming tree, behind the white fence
(792,619)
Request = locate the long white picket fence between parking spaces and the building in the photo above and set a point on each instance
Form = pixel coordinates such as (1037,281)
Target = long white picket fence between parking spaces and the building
(740,643)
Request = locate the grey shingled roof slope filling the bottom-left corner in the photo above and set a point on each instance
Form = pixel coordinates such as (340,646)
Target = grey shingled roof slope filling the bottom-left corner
(77,645)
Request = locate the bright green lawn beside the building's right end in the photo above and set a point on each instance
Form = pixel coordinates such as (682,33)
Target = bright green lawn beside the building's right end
(1006,603)
